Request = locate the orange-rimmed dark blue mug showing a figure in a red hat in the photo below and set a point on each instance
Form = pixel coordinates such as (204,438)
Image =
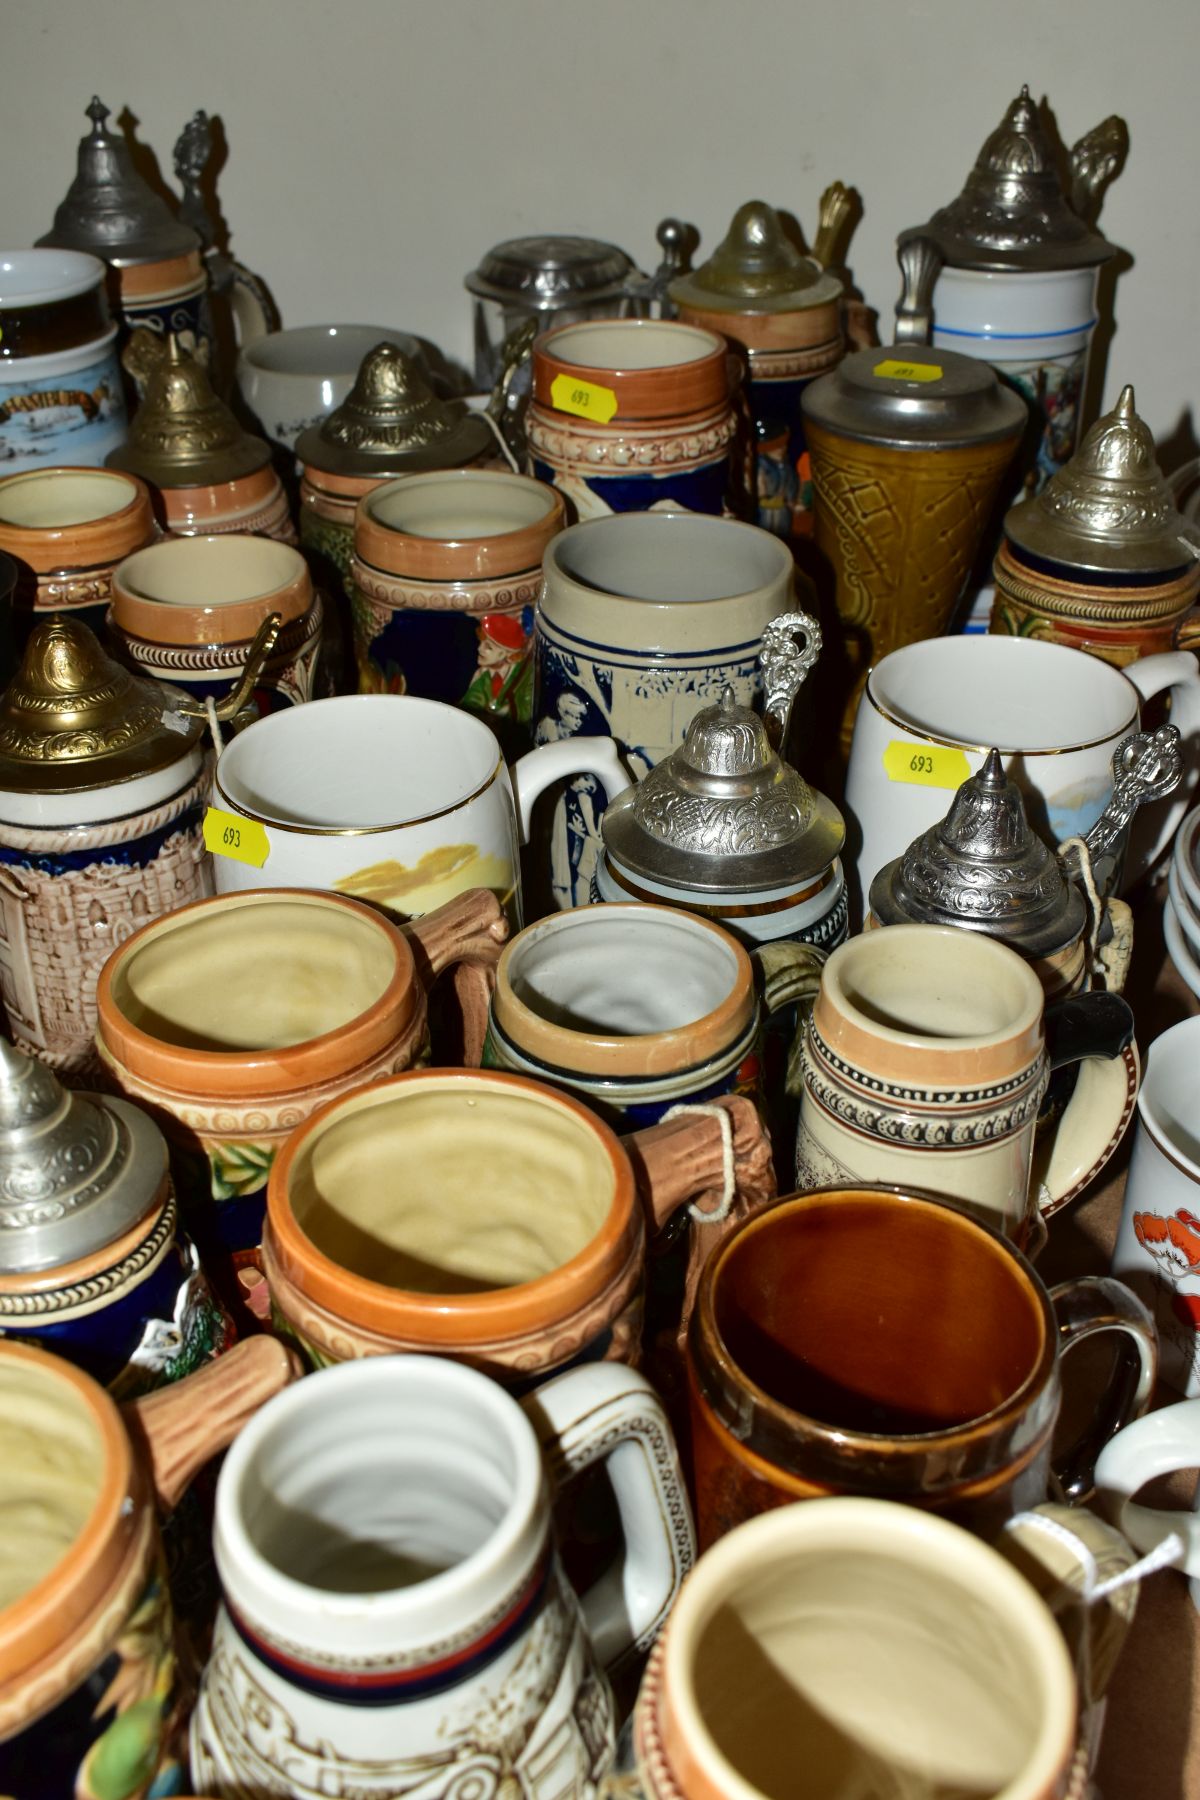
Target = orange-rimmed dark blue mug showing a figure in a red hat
(447,571)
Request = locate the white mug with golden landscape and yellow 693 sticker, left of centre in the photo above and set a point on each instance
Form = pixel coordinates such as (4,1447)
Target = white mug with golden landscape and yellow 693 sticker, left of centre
(391,800)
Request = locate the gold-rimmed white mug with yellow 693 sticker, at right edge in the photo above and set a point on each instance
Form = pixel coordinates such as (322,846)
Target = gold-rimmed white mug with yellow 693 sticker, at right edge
(933,710)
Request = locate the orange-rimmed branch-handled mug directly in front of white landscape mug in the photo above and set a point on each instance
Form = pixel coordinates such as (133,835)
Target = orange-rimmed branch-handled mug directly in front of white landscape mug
(237,1018)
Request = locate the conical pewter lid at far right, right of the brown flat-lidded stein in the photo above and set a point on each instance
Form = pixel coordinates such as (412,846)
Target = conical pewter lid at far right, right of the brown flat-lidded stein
(1111,508)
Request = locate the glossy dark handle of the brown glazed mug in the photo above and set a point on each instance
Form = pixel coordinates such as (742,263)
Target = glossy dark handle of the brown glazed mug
(1084,1308)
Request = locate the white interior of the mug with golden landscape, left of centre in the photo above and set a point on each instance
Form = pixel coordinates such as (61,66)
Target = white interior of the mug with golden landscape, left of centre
(359,762)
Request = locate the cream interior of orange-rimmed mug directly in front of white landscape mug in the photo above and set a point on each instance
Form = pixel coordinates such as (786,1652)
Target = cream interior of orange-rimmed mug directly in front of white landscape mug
(255,976)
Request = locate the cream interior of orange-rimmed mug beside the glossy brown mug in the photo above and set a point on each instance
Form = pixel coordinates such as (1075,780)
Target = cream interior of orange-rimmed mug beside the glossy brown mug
(456,1187)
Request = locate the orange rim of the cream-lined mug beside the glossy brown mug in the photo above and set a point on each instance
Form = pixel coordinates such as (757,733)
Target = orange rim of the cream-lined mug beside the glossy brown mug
(451,1320)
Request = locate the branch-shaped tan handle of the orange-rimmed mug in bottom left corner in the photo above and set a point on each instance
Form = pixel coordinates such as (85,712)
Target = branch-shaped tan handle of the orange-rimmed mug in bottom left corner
(183,1426)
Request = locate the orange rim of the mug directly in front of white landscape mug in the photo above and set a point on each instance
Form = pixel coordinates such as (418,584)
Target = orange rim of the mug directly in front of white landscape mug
(251,1074)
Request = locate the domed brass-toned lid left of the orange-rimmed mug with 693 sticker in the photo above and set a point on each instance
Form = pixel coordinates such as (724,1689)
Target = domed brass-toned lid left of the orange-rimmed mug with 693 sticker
(393,424)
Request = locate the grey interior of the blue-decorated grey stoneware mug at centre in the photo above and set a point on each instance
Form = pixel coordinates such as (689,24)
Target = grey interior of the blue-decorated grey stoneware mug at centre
(670,557)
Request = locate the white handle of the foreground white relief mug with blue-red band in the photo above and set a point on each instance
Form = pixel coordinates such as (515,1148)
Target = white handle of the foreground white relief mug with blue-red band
(611,1414)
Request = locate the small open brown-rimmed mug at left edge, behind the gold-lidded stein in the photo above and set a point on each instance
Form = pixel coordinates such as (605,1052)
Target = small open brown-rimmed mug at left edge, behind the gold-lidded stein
(67,530)
